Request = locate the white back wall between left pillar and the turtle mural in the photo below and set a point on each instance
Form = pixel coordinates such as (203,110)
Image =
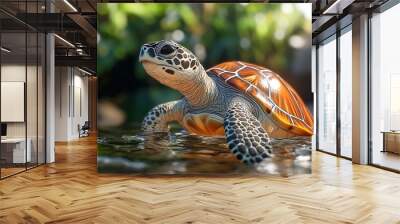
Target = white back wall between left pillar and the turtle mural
(71,94)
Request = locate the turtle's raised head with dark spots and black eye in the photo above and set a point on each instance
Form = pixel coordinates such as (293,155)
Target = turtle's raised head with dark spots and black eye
(170,63)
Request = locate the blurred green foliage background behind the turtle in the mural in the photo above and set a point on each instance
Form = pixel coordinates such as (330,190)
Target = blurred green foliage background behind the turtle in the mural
(264,34)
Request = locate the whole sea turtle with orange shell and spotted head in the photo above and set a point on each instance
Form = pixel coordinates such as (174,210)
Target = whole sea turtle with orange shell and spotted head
(244,102)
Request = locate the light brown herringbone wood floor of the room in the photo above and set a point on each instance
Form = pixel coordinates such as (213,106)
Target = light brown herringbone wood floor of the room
(71,191)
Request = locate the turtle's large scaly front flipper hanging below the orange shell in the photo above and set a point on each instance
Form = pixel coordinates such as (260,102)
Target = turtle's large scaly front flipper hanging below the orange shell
(245,136)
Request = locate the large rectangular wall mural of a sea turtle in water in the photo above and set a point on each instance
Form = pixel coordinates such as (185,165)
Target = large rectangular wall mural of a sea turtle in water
(213,89)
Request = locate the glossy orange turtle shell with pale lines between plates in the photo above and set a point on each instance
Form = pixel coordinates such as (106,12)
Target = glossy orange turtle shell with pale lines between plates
(271,92)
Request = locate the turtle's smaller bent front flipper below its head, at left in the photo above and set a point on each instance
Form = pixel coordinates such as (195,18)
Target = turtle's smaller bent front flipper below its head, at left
(158,118)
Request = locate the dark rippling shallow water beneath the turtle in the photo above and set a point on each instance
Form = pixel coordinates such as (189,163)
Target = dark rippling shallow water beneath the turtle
(130,151)
